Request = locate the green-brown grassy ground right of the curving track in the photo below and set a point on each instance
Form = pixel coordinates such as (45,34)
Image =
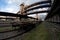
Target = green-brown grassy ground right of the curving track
(44,31)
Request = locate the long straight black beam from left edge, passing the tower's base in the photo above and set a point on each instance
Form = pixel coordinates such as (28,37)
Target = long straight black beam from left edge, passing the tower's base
(14,15)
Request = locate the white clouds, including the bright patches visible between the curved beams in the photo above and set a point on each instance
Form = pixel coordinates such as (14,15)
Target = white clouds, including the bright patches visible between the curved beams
(13,6)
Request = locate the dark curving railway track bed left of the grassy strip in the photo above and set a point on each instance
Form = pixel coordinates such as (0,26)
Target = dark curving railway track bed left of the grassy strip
(15,34)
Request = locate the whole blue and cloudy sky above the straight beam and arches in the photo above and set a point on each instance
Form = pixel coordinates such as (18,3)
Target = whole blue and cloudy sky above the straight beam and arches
(13,5)
